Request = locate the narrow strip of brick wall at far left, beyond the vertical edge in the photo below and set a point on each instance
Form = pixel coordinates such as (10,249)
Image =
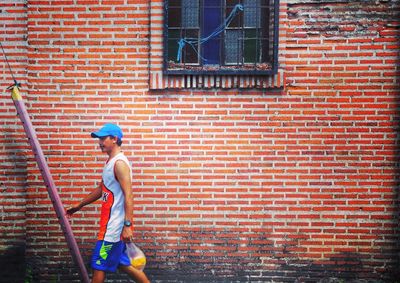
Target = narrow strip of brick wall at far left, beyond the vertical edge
(13,147)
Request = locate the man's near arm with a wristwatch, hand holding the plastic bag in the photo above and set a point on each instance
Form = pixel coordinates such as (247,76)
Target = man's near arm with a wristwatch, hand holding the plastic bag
(123,175)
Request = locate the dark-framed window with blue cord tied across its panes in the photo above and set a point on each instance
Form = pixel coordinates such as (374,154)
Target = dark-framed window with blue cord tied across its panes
(221,37)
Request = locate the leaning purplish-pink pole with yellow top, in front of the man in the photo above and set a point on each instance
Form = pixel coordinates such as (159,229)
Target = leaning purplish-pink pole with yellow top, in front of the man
(48,179)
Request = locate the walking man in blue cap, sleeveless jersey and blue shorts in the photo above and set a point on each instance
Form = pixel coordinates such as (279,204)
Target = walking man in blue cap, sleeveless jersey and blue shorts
(116,210)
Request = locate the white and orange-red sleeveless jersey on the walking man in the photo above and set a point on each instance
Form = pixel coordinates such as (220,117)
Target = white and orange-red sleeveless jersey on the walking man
(113,200)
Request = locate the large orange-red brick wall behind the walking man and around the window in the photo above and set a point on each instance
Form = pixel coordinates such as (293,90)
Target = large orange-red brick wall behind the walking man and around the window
(293,183)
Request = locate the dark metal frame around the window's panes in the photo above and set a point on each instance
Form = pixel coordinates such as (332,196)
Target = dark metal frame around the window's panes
(239,71)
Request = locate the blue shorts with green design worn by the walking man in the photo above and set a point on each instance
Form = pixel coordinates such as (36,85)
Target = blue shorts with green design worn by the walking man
(107,256)
